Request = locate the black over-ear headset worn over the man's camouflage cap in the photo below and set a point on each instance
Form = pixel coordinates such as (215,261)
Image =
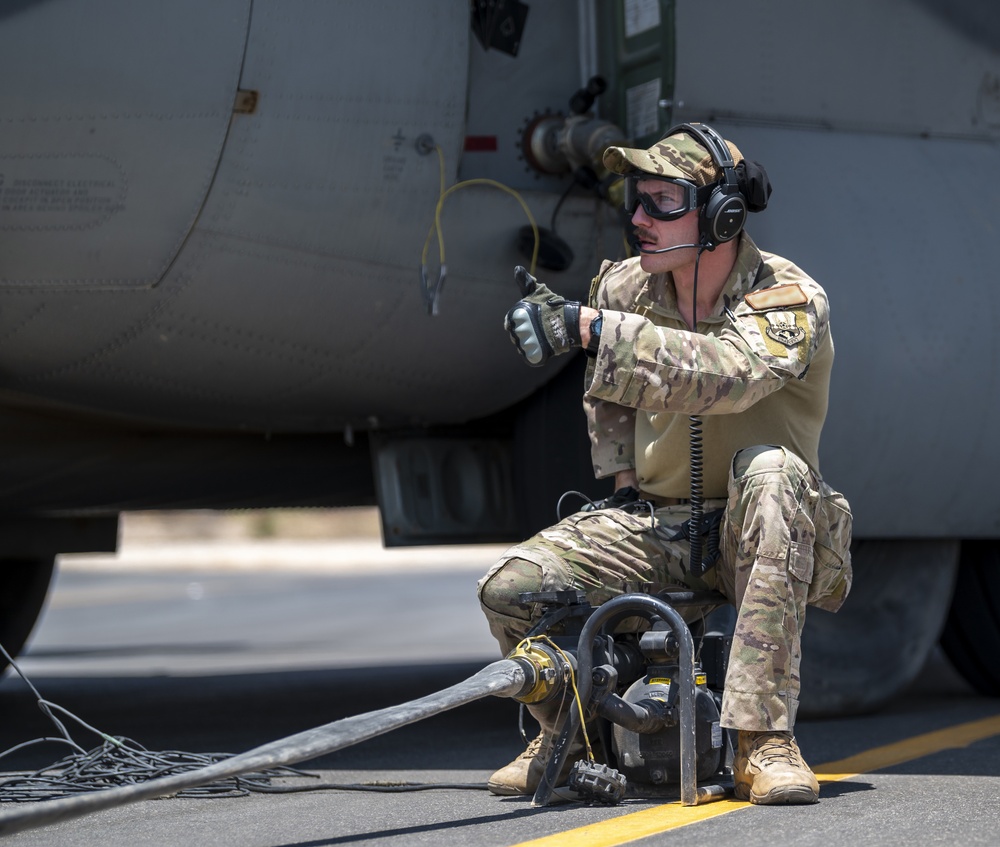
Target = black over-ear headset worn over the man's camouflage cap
(743,188)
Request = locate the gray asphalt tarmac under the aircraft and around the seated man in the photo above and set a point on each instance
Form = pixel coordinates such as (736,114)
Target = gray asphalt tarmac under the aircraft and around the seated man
(180,654)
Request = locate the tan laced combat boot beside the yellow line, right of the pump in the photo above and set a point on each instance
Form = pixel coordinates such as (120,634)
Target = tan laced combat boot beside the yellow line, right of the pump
(770,770)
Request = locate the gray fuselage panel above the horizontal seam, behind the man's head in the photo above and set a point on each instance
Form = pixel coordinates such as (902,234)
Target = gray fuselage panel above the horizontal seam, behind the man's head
(899,66)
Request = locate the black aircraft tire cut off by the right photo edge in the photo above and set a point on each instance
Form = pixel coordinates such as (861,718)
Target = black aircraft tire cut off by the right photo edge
(971,637)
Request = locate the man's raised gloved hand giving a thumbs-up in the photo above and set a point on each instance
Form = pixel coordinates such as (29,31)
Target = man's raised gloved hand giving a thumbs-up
(542,324)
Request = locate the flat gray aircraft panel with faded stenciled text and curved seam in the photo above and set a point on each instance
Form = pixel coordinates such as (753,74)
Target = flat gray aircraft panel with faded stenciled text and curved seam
(110,146)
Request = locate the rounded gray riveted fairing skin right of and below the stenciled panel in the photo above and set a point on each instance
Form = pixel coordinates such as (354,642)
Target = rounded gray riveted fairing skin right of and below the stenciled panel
(303,268)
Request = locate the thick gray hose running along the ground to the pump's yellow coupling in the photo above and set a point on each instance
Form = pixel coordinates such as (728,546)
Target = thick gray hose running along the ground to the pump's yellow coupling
(506,678)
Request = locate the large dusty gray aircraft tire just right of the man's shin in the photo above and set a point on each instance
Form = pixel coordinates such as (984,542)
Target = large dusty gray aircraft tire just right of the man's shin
(854,661)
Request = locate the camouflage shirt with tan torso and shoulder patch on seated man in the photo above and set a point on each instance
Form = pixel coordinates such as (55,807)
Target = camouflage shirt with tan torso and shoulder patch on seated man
(758,370)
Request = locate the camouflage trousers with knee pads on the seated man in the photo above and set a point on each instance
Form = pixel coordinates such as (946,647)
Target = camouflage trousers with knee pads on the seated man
(785,544)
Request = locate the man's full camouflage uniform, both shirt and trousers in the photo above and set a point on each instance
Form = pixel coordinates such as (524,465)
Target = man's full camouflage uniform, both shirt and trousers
(758,370)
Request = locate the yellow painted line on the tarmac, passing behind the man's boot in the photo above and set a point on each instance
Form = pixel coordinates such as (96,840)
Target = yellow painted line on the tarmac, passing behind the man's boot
(627,828)
